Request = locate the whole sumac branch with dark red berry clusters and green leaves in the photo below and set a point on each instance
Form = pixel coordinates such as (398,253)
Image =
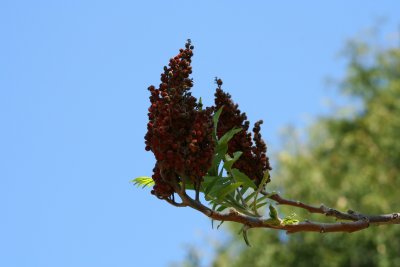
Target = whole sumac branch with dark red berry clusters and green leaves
(212,152)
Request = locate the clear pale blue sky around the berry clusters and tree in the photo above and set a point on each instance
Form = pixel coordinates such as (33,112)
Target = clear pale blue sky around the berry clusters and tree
(73,111)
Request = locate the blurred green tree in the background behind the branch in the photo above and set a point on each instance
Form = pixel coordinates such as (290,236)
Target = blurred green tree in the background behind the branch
(348,161)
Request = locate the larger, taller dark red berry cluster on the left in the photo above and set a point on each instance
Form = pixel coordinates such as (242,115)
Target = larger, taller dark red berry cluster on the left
(179,132)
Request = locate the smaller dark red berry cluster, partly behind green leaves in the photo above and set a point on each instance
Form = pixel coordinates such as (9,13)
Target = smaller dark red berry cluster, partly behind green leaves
(254,161)
